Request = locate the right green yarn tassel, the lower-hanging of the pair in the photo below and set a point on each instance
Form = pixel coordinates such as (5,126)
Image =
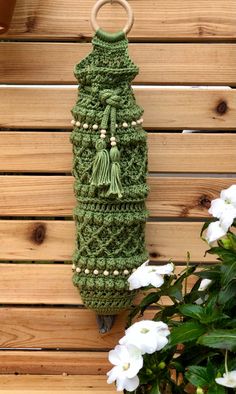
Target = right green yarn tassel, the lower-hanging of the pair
(115,188)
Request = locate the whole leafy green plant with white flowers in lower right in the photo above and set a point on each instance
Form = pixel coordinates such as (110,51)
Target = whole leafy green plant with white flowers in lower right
(189,346)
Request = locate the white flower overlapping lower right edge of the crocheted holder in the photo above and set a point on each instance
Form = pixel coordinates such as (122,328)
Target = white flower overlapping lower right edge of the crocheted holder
(147,275)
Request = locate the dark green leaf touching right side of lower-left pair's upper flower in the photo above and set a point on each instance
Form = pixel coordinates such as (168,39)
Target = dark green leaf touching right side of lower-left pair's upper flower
(186,332)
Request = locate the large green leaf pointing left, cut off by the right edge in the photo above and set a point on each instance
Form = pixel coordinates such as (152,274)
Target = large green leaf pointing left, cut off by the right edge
(219,339)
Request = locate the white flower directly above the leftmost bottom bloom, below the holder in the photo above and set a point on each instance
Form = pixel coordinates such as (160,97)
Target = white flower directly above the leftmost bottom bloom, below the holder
(147,335)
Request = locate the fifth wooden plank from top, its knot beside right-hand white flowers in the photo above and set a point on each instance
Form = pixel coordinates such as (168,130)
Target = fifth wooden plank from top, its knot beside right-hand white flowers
(53,195)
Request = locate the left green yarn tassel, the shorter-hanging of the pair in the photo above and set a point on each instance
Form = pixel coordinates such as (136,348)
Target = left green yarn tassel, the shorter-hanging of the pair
(101,166)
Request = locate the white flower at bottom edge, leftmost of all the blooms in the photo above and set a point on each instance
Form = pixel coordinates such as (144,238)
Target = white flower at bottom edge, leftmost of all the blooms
(127,361)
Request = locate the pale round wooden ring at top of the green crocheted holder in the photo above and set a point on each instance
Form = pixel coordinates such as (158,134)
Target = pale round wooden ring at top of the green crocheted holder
(123,3)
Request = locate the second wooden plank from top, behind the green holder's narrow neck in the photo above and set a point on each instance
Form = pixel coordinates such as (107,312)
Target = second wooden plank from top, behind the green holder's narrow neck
(178,64)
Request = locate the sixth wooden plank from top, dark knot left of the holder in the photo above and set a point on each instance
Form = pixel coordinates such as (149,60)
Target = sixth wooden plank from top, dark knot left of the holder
(20,241)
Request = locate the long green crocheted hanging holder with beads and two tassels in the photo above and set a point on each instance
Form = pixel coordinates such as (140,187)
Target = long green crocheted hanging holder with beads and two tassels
(110,166)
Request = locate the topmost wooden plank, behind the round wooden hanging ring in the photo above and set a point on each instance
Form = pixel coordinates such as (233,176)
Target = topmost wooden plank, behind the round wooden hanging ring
(167,20)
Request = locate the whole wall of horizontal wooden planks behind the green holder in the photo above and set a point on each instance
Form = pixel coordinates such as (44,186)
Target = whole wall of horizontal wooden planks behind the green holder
(177,43)
